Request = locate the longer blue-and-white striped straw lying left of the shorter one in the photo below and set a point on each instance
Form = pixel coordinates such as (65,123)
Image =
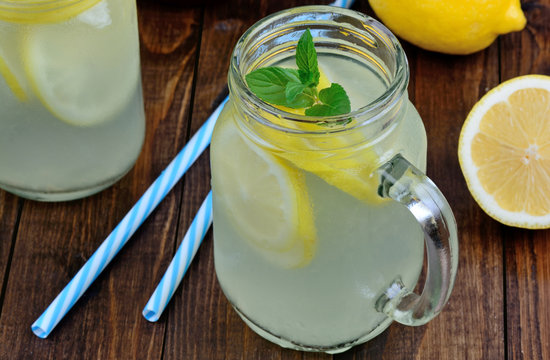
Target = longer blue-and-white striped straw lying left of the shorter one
(126,228)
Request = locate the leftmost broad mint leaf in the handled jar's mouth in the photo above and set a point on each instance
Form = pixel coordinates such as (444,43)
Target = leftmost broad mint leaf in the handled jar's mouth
(269,83)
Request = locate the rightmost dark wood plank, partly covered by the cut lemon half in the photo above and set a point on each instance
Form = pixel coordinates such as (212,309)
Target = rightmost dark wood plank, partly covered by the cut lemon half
(528,252)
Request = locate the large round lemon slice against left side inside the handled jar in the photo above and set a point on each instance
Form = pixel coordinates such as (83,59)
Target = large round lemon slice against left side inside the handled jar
(265,198)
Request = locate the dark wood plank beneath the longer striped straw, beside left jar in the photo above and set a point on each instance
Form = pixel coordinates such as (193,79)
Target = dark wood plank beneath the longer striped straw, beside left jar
(54,240)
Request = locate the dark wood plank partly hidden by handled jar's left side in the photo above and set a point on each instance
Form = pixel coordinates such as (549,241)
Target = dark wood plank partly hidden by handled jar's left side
(201,323)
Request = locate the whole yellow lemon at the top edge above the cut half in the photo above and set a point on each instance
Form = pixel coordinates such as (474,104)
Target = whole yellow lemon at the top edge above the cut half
(450,26)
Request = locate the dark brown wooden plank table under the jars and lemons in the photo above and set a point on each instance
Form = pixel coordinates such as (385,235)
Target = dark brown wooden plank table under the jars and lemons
(500,307)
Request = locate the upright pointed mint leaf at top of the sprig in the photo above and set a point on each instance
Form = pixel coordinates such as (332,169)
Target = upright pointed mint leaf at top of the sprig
(306,60)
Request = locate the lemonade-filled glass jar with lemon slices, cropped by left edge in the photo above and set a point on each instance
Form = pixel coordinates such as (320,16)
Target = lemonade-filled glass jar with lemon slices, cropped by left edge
(72,118)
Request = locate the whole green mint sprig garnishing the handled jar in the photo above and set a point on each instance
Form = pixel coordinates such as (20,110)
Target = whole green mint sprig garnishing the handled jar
(297,89)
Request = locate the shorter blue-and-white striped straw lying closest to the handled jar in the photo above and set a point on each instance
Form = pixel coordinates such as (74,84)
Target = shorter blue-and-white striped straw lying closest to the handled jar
(180,263)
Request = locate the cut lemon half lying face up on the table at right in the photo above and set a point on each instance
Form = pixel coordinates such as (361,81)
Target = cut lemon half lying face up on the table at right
(504,152)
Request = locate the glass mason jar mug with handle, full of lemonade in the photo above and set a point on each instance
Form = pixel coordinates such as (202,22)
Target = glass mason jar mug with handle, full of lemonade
(320,223)
